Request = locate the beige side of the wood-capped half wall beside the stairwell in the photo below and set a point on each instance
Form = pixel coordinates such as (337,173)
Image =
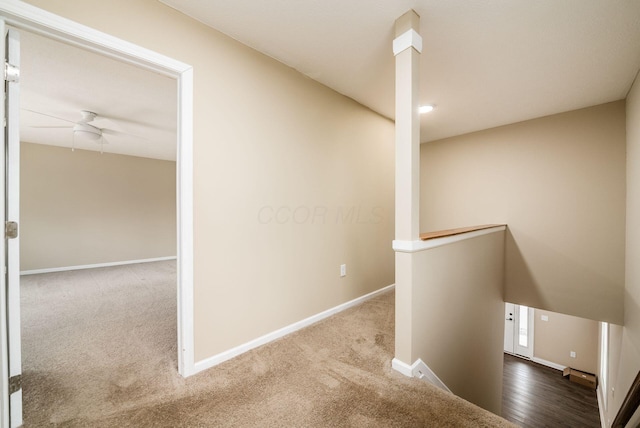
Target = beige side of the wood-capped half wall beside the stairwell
(458,323)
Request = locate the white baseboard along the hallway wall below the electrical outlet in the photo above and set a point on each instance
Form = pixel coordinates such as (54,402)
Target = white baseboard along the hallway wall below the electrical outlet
(270,337)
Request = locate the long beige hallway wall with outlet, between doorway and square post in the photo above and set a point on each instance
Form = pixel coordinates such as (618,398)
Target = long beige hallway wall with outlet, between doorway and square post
(267,140)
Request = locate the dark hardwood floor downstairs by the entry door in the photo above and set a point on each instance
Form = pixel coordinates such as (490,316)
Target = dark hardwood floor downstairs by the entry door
(538,396)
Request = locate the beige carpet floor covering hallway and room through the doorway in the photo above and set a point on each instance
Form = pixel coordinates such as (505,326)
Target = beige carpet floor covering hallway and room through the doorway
(99,350)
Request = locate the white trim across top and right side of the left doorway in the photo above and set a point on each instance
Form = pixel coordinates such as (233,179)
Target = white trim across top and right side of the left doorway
(24,16)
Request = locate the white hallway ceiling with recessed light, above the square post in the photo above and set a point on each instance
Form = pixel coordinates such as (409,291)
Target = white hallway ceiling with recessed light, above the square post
(485,63)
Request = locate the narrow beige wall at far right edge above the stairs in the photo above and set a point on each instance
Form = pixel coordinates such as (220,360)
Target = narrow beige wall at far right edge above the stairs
(624,355)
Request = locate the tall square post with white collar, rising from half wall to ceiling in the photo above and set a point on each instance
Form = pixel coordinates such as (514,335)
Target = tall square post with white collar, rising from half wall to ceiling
(406,48)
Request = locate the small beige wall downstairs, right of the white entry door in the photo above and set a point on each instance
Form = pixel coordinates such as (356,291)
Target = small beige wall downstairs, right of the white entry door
(555,338)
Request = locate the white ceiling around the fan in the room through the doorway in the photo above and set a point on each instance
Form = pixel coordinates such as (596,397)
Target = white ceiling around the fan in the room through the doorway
(60,80)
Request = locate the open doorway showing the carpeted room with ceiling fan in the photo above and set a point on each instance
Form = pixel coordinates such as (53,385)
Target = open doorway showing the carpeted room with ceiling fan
(98,224)
